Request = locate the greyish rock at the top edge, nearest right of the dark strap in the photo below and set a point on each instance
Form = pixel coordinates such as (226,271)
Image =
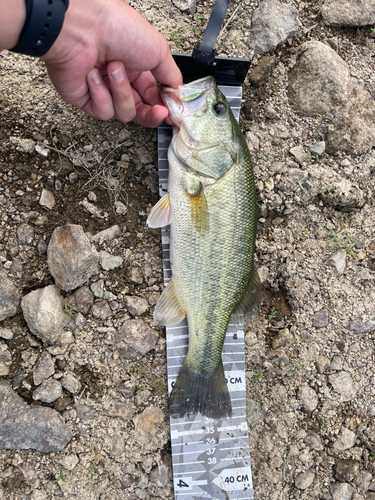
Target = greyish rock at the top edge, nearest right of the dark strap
(272,23)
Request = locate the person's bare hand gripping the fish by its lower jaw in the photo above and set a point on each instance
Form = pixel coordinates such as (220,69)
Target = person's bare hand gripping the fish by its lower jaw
(106,61)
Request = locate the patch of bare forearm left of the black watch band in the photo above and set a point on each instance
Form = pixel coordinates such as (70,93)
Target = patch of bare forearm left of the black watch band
(12,18)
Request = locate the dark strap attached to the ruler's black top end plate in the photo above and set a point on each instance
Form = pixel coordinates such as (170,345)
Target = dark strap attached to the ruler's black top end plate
(205,54)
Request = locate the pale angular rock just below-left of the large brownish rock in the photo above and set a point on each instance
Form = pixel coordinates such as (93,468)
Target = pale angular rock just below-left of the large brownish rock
(44,313)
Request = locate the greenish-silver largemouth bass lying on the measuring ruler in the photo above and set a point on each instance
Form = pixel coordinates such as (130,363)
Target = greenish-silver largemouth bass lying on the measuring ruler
(211,208)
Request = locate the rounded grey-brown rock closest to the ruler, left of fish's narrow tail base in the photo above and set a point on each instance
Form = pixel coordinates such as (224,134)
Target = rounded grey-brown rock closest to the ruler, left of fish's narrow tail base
(135,338)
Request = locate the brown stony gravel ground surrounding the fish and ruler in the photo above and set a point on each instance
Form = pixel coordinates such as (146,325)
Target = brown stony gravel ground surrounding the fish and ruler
(310,350)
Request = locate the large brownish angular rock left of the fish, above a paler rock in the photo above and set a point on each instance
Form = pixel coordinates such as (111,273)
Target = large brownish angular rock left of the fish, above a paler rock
(71,259)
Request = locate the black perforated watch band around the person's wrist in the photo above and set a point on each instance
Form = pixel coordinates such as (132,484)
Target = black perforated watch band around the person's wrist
(44,20)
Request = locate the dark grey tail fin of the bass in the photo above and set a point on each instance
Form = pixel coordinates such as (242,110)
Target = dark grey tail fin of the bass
(195,392)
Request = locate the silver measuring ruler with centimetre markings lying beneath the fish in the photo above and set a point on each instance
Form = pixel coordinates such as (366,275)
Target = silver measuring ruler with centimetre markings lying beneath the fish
(211,458)
